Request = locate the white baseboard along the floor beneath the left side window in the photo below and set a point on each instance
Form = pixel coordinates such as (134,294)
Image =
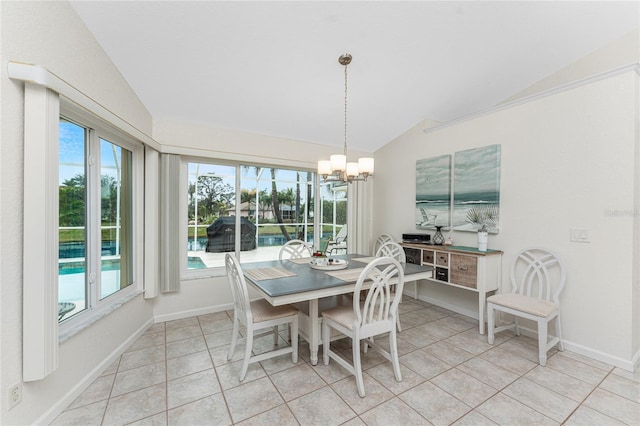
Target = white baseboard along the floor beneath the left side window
(54,411)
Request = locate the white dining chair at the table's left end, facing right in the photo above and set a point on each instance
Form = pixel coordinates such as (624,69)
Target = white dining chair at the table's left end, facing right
(255,316)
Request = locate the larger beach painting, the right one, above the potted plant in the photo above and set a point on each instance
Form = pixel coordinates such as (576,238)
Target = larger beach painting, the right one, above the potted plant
(476,189)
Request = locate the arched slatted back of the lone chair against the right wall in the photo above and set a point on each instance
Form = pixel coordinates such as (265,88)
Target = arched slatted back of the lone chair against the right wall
(538,273)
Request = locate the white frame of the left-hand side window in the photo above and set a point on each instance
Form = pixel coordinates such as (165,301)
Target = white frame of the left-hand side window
(100,129)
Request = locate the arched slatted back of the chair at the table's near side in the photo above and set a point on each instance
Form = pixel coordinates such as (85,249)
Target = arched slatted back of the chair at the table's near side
(380,305)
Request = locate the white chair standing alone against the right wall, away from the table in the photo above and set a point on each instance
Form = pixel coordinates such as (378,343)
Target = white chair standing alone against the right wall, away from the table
(537,278)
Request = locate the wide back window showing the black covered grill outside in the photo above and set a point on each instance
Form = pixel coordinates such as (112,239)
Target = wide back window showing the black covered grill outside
(274,206)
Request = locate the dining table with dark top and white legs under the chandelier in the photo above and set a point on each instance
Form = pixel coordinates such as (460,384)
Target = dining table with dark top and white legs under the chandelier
(314,288)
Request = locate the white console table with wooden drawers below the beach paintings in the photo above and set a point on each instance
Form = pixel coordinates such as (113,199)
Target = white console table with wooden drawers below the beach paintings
(461,267)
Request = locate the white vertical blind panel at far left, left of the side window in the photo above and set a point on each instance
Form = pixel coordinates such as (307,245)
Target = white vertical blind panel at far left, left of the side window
(40,272)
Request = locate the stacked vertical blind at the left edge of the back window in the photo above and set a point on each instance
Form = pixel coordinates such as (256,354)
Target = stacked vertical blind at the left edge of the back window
(170,246)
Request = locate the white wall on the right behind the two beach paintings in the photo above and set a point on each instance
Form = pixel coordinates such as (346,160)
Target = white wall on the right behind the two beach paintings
(568,160)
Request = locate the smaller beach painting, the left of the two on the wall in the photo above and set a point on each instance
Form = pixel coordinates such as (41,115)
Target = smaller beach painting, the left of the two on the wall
(433,192)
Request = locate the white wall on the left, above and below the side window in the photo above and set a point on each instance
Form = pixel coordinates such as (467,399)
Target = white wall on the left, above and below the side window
(50,34)
